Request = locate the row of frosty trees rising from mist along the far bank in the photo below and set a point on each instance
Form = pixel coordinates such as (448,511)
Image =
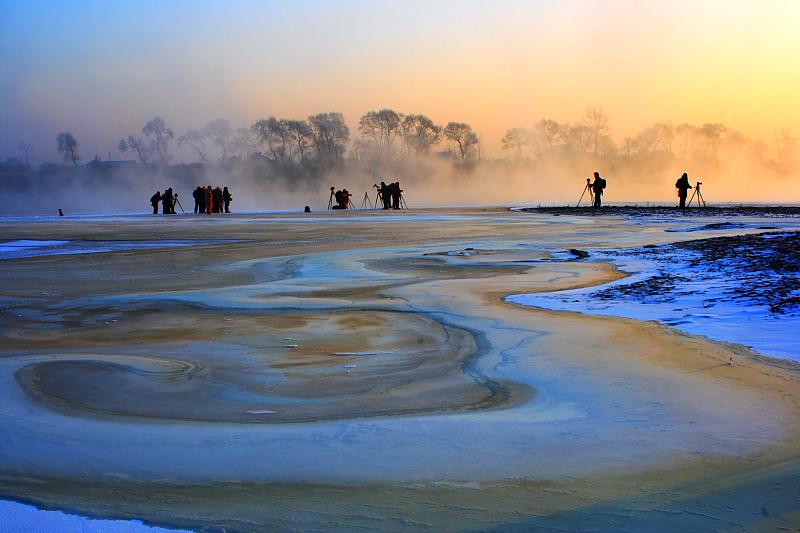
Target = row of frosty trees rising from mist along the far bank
(321,141)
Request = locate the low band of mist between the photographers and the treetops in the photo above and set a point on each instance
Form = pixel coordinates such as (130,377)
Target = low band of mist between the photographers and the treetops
(556,176)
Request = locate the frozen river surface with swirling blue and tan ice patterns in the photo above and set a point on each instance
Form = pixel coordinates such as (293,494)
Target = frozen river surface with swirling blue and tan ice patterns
(367,372)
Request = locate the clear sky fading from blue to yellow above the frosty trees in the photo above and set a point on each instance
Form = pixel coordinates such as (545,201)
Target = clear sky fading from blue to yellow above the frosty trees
(102,69)
